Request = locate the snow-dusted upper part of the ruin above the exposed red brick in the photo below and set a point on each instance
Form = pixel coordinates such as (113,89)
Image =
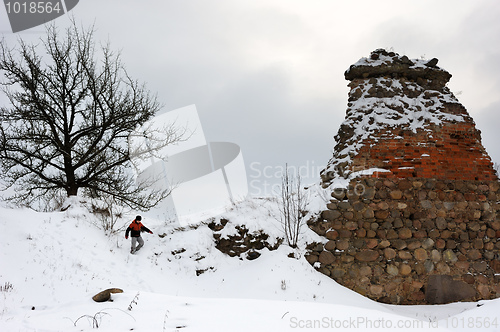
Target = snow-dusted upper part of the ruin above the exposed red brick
(389,91)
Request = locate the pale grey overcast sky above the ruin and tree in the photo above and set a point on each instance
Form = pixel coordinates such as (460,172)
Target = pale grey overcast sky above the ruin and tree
(268,74)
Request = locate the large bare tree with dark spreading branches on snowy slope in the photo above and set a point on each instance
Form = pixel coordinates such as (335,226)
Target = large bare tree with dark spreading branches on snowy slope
(72,107)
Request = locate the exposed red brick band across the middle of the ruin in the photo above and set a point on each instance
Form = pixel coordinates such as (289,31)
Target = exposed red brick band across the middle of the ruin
(453,151)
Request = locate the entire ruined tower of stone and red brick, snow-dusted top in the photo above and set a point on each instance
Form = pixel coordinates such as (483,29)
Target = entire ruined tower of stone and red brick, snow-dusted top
(419,221)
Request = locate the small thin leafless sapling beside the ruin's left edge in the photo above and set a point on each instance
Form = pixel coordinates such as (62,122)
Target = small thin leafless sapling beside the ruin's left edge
(292,203)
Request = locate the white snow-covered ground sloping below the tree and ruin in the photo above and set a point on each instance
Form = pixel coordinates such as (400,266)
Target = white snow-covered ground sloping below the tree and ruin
(51,264)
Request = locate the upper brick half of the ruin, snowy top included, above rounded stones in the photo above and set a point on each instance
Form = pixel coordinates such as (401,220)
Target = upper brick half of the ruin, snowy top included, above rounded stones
(401,117)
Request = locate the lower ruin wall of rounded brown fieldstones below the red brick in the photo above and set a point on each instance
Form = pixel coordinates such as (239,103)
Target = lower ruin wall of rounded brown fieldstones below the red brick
(388,237)
